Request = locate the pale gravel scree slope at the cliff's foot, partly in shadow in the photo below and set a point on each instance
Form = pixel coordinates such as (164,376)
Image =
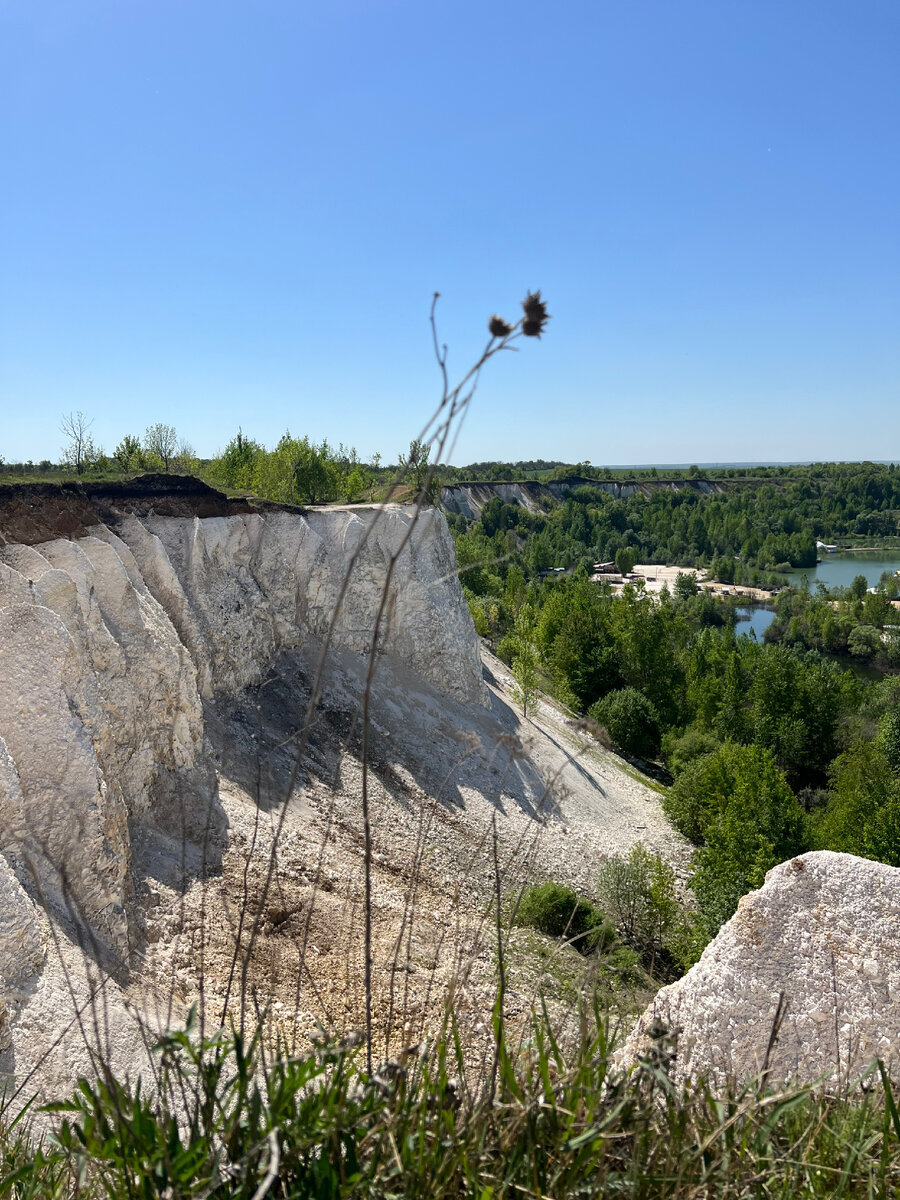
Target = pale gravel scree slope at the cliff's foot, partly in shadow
(442,773)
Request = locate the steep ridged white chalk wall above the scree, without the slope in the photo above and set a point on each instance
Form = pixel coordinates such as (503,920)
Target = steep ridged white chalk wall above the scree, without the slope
(112,640)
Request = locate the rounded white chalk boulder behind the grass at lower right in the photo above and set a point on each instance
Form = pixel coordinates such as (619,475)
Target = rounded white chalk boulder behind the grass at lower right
(825,932)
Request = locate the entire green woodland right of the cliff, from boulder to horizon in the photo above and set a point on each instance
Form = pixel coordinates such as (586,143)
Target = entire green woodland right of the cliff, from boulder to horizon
(771,749)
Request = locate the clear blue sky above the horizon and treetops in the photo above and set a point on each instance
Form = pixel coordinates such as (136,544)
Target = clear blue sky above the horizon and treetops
(221,214)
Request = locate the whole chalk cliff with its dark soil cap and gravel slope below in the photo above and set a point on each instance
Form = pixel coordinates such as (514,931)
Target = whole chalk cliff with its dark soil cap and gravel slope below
(158,657)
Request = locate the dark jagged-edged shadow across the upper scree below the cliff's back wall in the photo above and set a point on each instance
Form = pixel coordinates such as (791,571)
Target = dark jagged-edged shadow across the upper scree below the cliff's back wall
(421,745)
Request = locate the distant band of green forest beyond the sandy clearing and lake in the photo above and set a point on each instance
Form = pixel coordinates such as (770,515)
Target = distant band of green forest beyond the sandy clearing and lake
(753,529)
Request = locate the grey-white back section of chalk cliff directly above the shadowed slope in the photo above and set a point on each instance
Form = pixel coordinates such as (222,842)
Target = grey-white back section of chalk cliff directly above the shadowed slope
(241,589)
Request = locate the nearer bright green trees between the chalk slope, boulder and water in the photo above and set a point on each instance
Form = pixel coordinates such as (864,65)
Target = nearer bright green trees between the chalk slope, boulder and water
(773,749)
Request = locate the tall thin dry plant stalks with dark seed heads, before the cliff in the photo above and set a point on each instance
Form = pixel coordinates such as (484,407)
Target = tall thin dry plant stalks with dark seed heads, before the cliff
(242,1003)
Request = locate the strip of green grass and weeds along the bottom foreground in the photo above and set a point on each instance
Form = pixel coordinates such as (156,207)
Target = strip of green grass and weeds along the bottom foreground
(547,1115)
